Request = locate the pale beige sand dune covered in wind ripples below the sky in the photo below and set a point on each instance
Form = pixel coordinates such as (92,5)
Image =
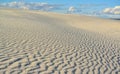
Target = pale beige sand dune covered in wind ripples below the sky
(33,42)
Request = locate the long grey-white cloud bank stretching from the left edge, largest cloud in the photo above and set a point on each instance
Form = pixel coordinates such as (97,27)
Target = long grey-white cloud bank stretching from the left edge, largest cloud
(33,6)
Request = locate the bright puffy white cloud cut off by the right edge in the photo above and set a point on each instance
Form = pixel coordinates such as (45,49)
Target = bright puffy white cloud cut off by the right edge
(115,10)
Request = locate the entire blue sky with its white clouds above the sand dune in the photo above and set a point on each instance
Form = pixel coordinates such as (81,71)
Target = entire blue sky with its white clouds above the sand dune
(104,8)
